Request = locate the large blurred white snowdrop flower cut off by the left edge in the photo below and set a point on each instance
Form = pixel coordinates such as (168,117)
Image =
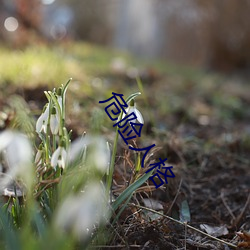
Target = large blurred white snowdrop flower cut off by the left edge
(17,152)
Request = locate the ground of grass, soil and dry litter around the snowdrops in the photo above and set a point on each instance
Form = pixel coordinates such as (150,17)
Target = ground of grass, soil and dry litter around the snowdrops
(199,121)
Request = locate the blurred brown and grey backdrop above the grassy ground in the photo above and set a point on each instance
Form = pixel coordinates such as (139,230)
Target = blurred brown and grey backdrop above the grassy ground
(212,34)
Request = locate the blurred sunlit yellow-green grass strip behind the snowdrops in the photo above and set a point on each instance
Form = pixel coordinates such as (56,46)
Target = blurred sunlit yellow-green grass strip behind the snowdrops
(36,65)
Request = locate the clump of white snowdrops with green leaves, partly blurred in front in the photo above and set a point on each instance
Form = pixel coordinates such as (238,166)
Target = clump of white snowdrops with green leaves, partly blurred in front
(65,186)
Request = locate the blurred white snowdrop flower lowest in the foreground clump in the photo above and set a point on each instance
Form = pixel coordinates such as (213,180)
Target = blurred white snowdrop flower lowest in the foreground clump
(79,214)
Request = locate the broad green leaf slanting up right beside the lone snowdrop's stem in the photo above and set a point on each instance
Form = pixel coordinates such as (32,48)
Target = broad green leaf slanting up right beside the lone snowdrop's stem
(128,191)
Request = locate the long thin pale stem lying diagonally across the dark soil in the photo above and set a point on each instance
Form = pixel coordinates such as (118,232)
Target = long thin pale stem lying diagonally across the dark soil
(183,223)
